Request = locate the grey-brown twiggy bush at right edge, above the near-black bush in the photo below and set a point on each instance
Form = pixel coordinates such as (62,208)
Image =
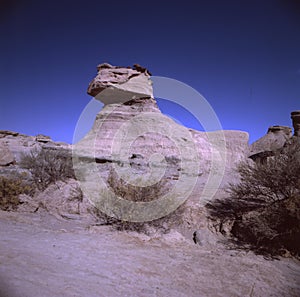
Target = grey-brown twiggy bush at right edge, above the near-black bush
(275,179)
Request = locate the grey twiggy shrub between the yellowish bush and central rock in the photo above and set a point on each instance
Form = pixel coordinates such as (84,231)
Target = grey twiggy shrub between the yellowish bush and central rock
(48,166)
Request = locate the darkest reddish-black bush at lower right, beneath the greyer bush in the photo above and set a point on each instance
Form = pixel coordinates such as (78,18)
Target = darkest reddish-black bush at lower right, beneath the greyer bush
(274,229)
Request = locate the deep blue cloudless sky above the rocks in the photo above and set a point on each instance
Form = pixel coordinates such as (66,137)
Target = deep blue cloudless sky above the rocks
(242,56)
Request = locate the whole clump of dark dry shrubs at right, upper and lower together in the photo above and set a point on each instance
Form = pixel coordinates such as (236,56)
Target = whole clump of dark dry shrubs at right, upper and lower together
(264,207)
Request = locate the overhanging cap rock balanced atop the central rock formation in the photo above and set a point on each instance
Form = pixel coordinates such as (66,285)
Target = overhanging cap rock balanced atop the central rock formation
(119,84)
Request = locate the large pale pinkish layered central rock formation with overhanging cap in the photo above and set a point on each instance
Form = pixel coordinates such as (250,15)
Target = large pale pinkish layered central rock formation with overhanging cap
(133,141)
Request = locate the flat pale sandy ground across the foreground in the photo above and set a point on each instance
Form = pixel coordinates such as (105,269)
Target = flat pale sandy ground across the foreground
(43,256)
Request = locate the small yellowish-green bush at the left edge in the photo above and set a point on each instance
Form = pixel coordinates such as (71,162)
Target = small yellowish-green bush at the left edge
(10,189)
